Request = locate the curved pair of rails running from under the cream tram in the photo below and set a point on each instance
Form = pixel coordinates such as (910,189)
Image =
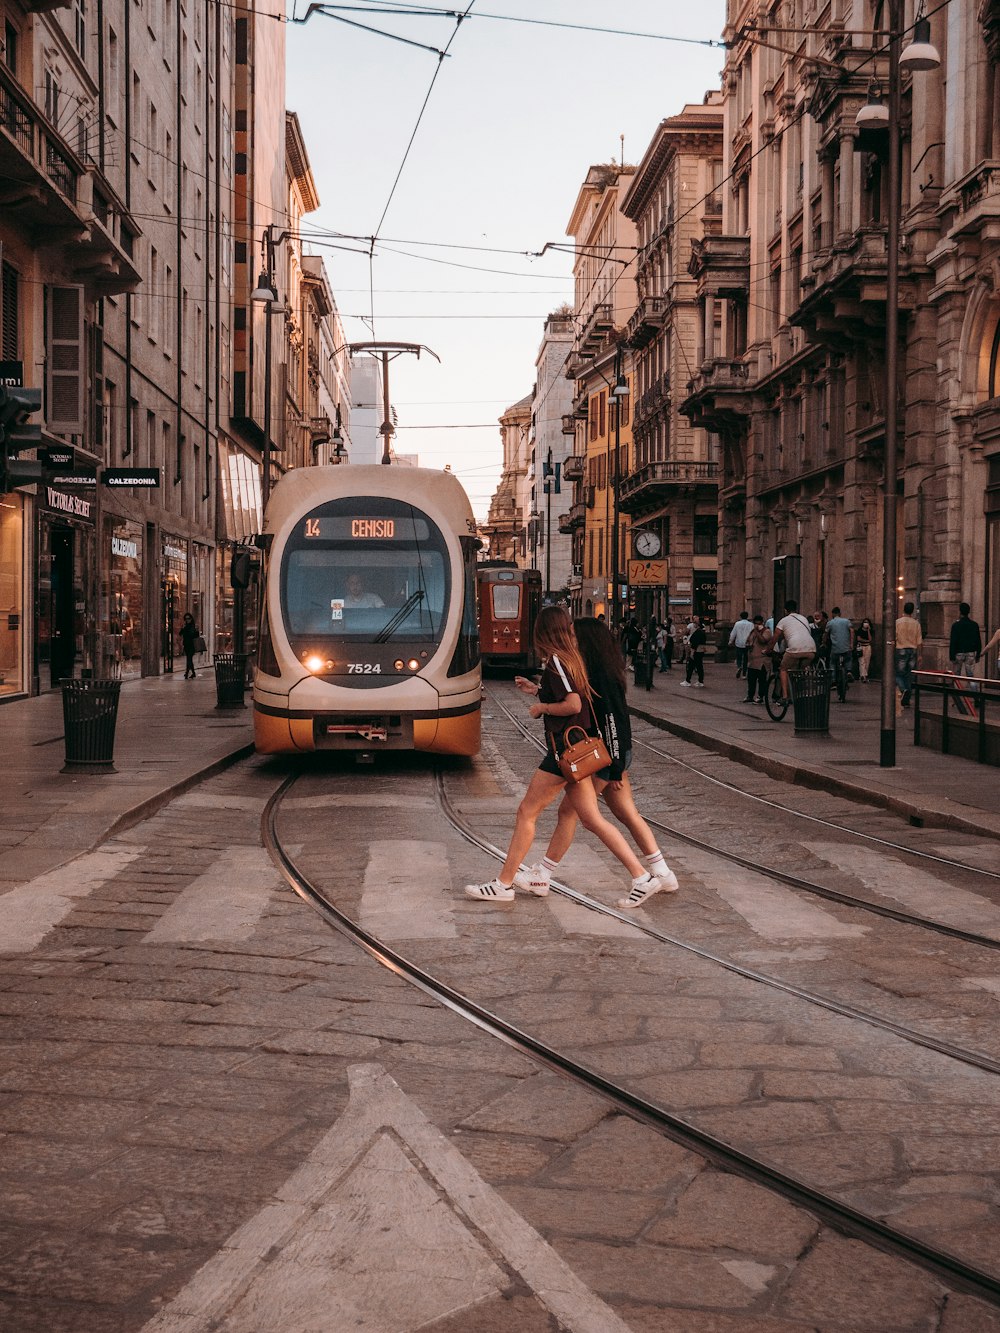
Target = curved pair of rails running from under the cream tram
(943,1264)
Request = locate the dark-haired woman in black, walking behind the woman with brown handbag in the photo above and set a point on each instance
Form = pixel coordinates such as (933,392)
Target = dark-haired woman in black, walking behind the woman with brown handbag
(606,672)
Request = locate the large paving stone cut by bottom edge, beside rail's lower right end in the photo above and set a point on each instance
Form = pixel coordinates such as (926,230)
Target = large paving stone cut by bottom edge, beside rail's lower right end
(859,1288)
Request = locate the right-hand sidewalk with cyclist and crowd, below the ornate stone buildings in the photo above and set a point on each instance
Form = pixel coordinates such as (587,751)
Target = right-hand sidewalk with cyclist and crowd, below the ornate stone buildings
(925,786)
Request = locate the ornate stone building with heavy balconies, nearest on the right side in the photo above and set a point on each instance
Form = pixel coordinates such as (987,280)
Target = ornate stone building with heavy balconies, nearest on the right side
(794,293)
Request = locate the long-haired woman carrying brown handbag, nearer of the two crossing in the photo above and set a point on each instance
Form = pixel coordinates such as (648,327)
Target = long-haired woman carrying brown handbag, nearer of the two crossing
(563,700)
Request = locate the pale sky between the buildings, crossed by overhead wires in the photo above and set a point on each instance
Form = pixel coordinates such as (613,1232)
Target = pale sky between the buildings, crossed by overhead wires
(515,117)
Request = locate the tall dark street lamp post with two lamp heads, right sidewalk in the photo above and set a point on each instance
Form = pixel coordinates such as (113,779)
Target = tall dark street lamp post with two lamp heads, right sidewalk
(918,55)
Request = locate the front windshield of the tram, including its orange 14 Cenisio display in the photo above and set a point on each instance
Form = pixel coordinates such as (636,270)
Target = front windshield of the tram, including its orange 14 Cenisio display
(366,570)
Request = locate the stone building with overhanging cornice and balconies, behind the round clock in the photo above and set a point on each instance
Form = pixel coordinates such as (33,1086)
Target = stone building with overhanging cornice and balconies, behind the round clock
(671,490)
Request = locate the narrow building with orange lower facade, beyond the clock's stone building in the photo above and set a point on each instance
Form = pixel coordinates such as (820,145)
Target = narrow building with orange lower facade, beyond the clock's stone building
(605,302)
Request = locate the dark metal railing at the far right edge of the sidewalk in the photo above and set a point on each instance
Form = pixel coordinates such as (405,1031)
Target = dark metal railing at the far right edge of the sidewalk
(966,703)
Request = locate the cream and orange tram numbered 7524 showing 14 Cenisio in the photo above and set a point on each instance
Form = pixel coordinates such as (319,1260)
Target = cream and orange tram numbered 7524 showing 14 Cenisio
(369,637)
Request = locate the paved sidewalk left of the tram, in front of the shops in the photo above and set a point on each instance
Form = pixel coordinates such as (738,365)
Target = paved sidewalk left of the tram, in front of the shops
(169,736)
